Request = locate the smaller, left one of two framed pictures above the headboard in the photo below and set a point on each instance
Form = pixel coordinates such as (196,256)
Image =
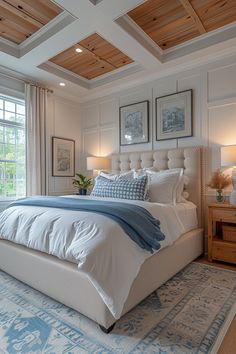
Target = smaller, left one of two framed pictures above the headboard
(134,123)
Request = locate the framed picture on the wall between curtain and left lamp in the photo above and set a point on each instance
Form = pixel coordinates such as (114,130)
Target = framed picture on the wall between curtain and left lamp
(63,157)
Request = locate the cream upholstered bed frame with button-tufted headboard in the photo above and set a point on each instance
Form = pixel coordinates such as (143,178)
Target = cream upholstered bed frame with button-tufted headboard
(64,282)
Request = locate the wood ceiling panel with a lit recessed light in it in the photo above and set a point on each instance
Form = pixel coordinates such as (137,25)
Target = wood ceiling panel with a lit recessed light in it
(98,57)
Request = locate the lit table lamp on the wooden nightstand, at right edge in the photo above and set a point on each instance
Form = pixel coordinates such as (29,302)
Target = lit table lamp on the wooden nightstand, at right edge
(228,159)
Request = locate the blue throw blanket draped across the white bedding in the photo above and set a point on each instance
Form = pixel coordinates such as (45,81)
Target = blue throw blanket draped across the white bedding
(136,221)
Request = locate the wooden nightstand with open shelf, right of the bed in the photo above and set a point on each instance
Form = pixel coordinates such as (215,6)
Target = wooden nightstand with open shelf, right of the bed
(220,215)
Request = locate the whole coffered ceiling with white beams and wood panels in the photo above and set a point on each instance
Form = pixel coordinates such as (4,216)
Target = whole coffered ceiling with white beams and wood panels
(118,42)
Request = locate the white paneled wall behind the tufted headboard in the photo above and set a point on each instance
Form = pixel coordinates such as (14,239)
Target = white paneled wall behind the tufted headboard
(214,112)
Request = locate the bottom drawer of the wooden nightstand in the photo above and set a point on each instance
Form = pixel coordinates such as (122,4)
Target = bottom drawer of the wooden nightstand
(224,251)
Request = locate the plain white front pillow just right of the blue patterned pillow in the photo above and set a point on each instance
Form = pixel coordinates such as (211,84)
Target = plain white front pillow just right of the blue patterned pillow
(163,185)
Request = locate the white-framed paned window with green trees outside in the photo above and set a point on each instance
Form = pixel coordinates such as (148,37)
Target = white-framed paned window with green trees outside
(12,147)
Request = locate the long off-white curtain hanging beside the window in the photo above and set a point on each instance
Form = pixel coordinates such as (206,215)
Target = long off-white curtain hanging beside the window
(36,108)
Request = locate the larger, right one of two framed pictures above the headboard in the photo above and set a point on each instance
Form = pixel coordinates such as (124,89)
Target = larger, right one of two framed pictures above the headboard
(174,116)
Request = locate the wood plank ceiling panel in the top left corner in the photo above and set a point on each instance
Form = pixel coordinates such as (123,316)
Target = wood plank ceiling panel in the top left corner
(19,19)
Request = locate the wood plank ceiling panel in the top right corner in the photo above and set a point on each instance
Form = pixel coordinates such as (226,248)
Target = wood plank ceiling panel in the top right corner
(172,22)
